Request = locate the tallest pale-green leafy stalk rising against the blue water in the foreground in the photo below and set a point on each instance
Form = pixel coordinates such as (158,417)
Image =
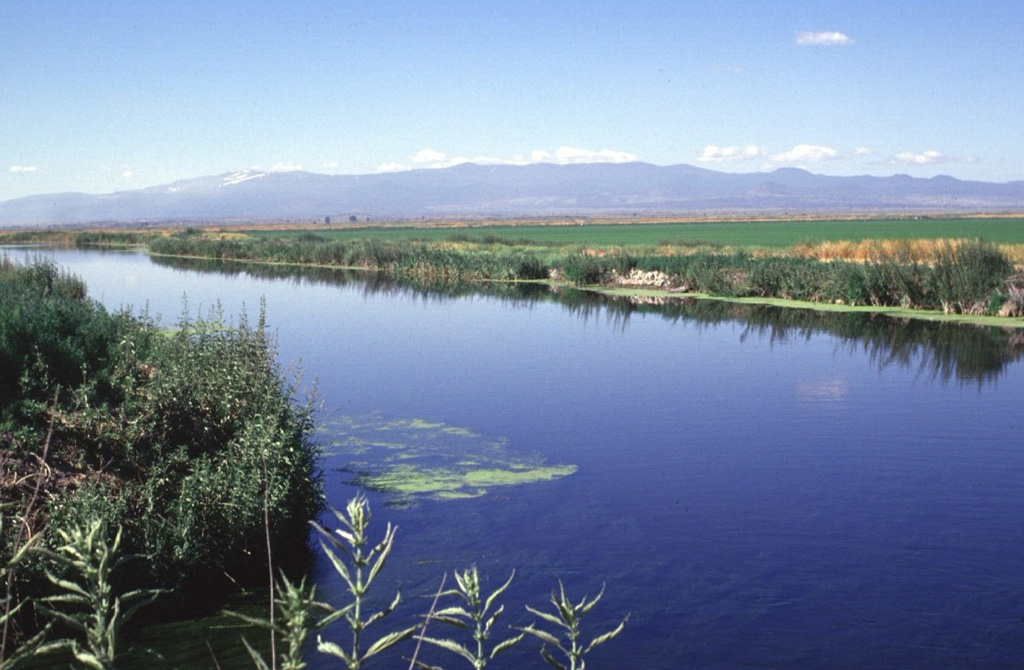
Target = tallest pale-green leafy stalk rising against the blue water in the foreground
(347,548)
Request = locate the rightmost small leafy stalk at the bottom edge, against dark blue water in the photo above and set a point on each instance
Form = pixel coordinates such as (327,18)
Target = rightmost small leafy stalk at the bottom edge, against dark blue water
(568,617)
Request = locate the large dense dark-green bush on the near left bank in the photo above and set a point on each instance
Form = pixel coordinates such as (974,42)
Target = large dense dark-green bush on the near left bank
(180,438)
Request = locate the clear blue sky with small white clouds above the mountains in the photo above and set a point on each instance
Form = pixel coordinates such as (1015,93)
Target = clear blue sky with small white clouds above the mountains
(104,96)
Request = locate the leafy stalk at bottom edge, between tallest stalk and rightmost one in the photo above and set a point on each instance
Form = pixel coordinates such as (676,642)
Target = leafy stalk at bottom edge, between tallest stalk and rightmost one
(475,617)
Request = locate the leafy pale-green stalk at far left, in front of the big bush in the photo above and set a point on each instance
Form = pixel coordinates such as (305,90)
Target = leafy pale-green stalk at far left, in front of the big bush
(96,613)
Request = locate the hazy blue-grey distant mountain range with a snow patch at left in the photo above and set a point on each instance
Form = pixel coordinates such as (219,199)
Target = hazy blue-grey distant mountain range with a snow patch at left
(505,191)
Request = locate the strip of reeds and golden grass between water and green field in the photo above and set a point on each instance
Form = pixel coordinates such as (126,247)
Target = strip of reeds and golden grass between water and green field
(953,277)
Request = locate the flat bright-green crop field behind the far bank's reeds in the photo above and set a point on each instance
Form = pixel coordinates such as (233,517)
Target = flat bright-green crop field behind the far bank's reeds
(734,234)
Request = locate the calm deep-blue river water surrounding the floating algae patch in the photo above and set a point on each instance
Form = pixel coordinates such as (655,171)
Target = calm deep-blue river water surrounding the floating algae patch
(758,489)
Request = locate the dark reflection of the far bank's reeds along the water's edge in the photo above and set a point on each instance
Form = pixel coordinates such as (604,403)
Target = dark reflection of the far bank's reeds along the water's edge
(942,352)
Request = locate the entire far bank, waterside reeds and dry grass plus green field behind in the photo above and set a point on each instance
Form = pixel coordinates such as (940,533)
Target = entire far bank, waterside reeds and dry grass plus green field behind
(911,265)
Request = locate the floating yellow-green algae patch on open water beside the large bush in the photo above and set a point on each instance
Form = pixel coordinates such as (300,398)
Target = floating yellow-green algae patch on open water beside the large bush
(413,459)
